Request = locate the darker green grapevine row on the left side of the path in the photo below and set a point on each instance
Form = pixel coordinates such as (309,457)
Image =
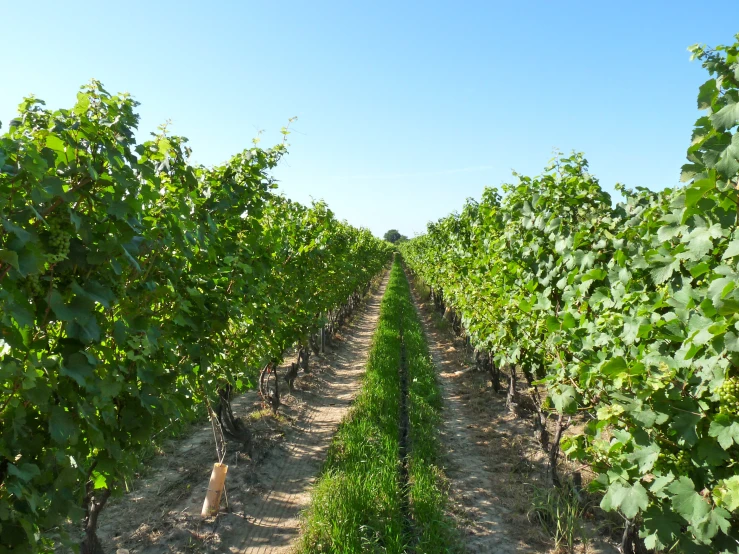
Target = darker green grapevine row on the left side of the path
(134,286)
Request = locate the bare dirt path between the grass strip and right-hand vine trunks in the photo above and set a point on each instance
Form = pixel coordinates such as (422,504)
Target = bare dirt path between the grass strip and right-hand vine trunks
(491,523)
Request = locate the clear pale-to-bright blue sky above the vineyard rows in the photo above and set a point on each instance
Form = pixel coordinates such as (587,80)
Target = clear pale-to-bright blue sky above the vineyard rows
(404,108)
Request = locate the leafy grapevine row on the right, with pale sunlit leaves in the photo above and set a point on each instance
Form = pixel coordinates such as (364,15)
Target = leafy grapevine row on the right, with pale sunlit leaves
(627,314)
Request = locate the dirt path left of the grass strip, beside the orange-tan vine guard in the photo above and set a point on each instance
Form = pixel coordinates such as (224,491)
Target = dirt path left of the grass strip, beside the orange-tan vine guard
(267,490)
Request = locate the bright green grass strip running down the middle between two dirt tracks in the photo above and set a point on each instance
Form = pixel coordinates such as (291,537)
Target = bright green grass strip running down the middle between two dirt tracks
(360,503)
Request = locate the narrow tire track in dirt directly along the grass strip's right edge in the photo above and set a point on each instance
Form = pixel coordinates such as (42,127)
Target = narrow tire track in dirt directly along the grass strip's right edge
(468,469)
